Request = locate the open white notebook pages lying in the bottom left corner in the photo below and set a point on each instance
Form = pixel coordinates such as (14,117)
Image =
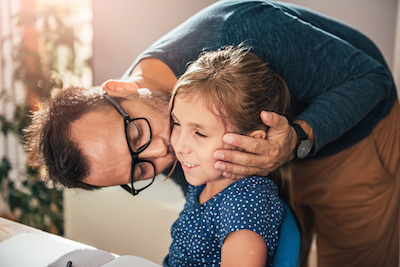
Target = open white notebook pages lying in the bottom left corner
(39,250)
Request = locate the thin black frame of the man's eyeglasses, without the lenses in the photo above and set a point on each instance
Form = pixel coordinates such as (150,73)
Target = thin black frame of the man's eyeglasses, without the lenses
(135,155)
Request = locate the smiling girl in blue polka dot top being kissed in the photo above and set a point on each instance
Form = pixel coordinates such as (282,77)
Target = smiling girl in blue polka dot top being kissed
(224,222)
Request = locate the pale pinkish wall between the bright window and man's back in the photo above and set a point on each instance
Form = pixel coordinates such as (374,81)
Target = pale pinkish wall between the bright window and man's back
(123,29)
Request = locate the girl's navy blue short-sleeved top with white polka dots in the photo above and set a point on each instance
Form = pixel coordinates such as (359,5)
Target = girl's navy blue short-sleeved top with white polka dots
(198,234)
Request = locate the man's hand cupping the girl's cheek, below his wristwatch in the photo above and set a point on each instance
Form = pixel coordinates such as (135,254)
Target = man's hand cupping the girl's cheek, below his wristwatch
(257,156)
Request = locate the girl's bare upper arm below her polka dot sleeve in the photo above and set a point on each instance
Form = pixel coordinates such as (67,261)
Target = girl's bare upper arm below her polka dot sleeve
(244,248)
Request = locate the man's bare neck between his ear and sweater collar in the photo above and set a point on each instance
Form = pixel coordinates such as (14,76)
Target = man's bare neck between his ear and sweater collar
(153,74)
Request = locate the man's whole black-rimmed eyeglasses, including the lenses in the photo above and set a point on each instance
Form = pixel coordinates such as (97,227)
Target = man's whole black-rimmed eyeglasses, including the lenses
(138,137)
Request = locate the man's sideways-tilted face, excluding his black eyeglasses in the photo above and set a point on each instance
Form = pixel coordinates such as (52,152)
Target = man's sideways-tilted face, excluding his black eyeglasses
(101,137)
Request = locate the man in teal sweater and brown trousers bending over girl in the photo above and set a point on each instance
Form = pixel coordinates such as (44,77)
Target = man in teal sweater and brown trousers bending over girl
(345,135)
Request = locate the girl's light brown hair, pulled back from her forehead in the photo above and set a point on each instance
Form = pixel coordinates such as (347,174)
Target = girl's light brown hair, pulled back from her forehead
(236,85)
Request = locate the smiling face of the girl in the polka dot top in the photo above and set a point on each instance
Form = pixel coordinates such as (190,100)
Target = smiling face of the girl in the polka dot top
(196,134)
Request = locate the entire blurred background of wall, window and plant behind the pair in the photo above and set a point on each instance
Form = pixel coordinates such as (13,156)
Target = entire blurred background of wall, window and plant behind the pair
(47,45)
